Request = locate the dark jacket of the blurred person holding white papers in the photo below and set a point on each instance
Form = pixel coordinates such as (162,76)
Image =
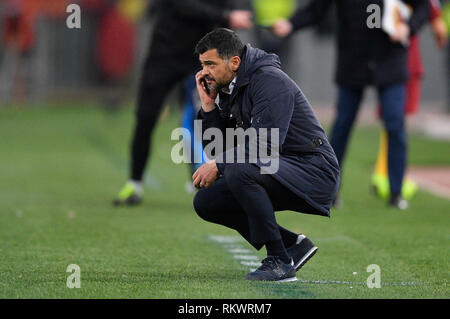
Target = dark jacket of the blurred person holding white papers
(364,56)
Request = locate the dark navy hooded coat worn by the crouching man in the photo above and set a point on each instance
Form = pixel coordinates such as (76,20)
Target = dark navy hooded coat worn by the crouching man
(267,98)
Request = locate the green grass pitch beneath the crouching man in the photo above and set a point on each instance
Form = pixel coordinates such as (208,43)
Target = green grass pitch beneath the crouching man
(61,167)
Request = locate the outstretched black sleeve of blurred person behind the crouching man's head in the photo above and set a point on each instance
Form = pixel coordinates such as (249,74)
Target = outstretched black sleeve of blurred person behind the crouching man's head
(200,10)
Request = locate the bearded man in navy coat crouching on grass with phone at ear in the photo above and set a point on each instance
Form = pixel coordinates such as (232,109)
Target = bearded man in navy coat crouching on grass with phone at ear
(254,93)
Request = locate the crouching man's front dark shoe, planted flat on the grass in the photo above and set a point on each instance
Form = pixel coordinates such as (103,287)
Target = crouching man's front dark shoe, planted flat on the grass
(273,269)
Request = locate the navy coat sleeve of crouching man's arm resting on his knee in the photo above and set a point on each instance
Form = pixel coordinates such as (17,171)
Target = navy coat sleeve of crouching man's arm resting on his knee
(271,113)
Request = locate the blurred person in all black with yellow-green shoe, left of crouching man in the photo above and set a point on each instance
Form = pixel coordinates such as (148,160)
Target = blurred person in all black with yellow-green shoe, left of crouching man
(178,26)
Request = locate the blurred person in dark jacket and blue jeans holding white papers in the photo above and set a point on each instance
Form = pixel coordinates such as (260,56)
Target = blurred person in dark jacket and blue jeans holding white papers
(367,56)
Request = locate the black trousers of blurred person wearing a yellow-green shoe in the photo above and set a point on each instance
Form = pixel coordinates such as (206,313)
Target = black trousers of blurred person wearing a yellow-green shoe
(161,72)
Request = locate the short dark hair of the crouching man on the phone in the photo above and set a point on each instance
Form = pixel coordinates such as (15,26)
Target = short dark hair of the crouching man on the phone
(226,42)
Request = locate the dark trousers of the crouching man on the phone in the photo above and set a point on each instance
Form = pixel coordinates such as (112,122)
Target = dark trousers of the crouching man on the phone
(246,200)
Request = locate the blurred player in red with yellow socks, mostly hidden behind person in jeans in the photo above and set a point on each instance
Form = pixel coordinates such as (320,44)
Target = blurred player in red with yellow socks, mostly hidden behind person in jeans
(380,180)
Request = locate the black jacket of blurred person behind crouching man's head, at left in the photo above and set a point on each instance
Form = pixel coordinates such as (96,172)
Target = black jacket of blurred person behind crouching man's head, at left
(180,25)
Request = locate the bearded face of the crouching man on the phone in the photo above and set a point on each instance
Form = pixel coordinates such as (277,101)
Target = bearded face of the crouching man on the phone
(218,72)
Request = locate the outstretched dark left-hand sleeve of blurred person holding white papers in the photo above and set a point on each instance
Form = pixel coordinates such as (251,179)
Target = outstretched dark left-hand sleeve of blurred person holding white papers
(310,14)
